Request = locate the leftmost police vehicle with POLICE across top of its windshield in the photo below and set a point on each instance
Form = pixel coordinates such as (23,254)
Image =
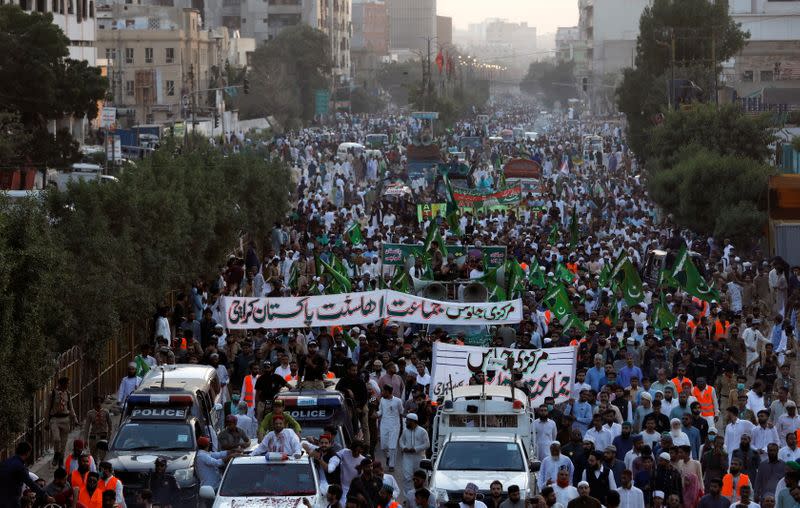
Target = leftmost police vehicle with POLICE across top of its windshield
(157,425)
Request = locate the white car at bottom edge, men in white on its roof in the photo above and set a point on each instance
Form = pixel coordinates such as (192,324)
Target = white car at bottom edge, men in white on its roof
(258,481)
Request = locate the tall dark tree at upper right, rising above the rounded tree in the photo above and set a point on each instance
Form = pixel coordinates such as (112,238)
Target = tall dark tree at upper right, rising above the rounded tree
(693,25)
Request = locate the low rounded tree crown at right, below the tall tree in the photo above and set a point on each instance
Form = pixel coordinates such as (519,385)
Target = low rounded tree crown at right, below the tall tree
(711,193)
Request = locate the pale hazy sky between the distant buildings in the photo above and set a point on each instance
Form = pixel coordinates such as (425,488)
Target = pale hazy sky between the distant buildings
(545,15)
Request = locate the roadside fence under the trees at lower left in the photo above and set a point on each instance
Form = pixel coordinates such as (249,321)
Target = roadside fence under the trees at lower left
(88,377)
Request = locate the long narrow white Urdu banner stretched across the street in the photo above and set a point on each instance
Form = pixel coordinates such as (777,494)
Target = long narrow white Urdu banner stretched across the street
(363,308)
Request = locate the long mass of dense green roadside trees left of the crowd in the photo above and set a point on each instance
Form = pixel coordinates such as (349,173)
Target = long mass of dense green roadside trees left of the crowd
(168,221)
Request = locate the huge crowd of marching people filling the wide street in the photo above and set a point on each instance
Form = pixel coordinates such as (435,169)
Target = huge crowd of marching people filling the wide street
(701,413)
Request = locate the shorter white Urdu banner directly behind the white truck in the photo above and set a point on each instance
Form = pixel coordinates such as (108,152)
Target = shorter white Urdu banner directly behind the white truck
(547,372)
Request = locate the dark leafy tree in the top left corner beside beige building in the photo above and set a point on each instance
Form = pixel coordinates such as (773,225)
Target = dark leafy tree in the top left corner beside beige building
(38,83)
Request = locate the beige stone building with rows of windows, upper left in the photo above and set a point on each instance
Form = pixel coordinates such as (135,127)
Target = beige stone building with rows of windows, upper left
(159,60)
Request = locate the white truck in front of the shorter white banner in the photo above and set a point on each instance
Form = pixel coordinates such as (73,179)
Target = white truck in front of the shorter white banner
(481,434)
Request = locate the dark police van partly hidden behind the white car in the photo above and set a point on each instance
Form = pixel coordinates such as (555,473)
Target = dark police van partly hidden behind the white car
(315,410)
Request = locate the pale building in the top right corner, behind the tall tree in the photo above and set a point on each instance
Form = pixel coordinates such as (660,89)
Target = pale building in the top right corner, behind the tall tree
(768,67)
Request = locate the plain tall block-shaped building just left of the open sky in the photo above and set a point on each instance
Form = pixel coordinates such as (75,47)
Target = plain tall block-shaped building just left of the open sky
(412,24)
